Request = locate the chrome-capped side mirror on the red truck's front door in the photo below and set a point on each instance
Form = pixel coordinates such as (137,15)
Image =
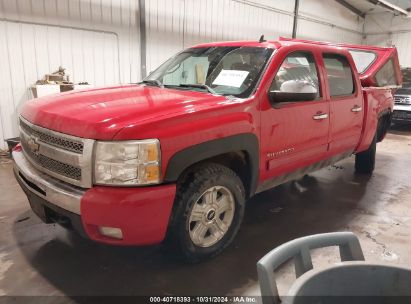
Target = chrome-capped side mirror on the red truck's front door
(294,91)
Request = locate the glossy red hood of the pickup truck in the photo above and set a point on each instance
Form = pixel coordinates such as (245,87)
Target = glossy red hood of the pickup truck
(101,113)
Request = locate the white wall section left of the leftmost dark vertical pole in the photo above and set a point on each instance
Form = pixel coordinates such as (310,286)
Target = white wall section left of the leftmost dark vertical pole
(95,40)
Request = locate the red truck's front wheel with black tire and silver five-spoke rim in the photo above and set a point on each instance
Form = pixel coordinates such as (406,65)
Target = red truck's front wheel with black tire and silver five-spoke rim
(208,212)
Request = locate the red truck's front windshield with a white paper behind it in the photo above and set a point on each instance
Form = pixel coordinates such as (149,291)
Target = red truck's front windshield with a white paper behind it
(219,70)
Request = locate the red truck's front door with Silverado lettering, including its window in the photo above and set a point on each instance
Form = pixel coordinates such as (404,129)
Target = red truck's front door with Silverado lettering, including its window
(295,133)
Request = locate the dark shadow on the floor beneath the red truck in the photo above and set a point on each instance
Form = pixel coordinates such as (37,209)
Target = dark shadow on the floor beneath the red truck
(324,202)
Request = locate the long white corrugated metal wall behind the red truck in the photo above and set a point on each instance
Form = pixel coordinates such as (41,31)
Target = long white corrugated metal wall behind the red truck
(98,40)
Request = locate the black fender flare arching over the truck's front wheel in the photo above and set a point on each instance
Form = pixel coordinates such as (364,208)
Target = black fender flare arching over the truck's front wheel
(247,142)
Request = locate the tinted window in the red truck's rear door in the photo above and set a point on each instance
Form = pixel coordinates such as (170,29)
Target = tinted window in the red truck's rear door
(340,76)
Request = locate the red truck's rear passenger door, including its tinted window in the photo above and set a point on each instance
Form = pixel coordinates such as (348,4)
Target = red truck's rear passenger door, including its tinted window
(346,102)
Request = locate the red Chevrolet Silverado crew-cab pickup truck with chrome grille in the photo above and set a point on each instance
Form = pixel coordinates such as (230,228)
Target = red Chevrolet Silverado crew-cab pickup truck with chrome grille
(175,157)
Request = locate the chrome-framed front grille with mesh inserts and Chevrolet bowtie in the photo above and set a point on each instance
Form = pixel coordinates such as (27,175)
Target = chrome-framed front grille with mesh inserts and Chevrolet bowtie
(63,156)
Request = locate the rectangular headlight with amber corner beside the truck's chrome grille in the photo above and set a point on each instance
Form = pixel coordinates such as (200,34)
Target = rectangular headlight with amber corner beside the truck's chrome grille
(134,162)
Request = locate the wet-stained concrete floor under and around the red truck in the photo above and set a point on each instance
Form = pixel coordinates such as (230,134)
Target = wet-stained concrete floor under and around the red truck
(39,259)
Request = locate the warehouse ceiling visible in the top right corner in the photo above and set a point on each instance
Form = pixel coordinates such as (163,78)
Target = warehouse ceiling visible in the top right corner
(362,7)
